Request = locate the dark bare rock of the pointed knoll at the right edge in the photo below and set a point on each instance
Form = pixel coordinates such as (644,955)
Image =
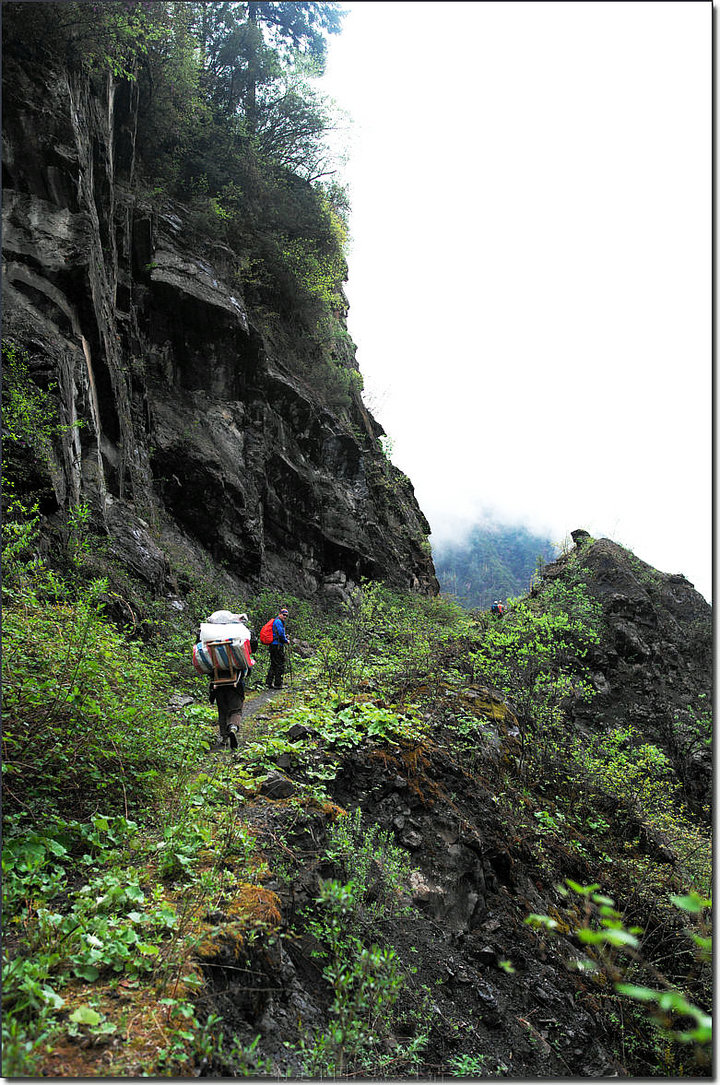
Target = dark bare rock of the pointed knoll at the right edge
(653,667)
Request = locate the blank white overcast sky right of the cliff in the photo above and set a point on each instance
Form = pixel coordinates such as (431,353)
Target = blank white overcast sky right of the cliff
(531,262)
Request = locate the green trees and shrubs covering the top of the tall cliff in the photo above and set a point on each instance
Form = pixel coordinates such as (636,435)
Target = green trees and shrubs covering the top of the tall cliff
(230,122)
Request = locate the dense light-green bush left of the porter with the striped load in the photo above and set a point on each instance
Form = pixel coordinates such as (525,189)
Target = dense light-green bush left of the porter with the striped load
(86,707)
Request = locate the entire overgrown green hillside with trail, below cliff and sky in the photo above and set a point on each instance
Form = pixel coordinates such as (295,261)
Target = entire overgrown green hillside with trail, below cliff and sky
(377,883)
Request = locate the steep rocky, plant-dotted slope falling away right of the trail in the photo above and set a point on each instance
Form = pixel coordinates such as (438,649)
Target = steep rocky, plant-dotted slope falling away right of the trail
(495,806)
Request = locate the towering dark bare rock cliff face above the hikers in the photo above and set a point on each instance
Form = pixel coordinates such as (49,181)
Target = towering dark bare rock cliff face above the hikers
(192,428)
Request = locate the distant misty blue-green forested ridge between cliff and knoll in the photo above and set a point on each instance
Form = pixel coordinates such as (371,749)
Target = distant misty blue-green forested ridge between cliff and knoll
(494,563)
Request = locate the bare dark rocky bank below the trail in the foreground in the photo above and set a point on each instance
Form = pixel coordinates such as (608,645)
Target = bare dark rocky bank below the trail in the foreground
(471,889)
